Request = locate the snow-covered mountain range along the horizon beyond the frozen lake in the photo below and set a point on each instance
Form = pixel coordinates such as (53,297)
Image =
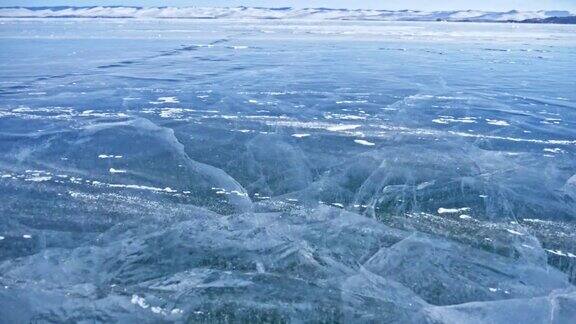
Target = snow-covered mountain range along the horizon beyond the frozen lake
(554,17)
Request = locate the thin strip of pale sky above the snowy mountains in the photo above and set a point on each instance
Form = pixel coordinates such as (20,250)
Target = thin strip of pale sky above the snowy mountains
(496,5)
